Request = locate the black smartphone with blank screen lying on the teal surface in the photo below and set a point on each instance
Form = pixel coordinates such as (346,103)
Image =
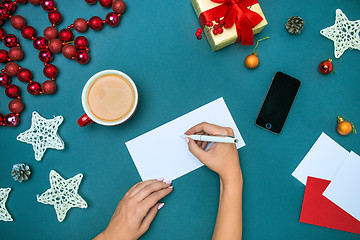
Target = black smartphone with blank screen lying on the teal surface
(278,102)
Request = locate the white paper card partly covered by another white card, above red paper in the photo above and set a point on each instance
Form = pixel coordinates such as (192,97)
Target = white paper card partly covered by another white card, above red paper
(322,161)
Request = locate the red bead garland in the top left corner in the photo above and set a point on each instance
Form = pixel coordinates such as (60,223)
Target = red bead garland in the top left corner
(53,42)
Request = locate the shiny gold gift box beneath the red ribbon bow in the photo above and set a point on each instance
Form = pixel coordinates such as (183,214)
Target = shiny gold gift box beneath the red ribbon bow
(229,36)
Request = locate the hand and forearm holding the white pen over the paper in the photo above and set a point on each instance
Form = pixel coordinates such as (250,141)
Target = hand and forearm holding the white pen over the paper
(223,159)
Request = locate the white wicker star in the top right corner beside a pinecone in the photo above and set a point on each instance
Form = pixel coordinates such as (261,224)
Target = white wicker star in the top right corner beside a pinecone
(344,33)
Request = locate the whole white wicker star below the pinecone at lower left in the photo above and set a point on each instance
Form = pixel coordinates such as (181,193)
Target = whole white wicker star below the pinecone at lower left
(63,194)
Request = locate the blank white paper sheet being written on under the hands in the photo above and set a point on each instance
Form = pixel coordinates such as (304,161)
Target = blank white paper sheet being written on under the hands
(163,153)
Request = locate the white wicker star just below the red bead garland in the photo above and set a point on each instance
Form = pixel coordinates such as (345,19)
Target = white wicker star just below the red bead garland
(42,134)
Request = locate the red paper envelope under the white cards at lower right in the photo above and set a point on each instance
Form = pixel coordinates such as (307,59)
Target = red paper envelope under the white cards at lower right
(318,210)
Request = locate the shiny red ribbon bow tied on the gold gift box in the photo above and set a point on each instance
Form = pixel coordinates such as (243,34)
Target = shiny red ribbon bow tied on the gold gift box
(235,12)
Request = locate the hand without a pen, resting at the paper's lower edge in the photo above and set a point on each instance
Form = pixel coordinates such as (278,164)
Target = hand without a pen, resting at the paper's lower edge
(136,210)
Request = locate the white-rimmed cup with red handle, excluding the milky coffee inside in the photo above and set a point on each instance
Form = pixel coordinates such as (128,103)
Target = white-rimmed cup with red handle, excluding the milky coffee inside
(89,117)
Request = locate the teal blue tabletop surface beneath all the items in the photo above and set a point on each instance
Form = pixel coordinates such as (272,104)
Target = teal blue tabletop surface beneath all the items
(175,73)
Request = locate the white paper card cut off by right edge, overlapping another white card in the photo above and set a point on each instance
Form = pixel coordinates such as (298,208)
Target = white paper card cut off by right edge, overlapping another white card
(344,189)
